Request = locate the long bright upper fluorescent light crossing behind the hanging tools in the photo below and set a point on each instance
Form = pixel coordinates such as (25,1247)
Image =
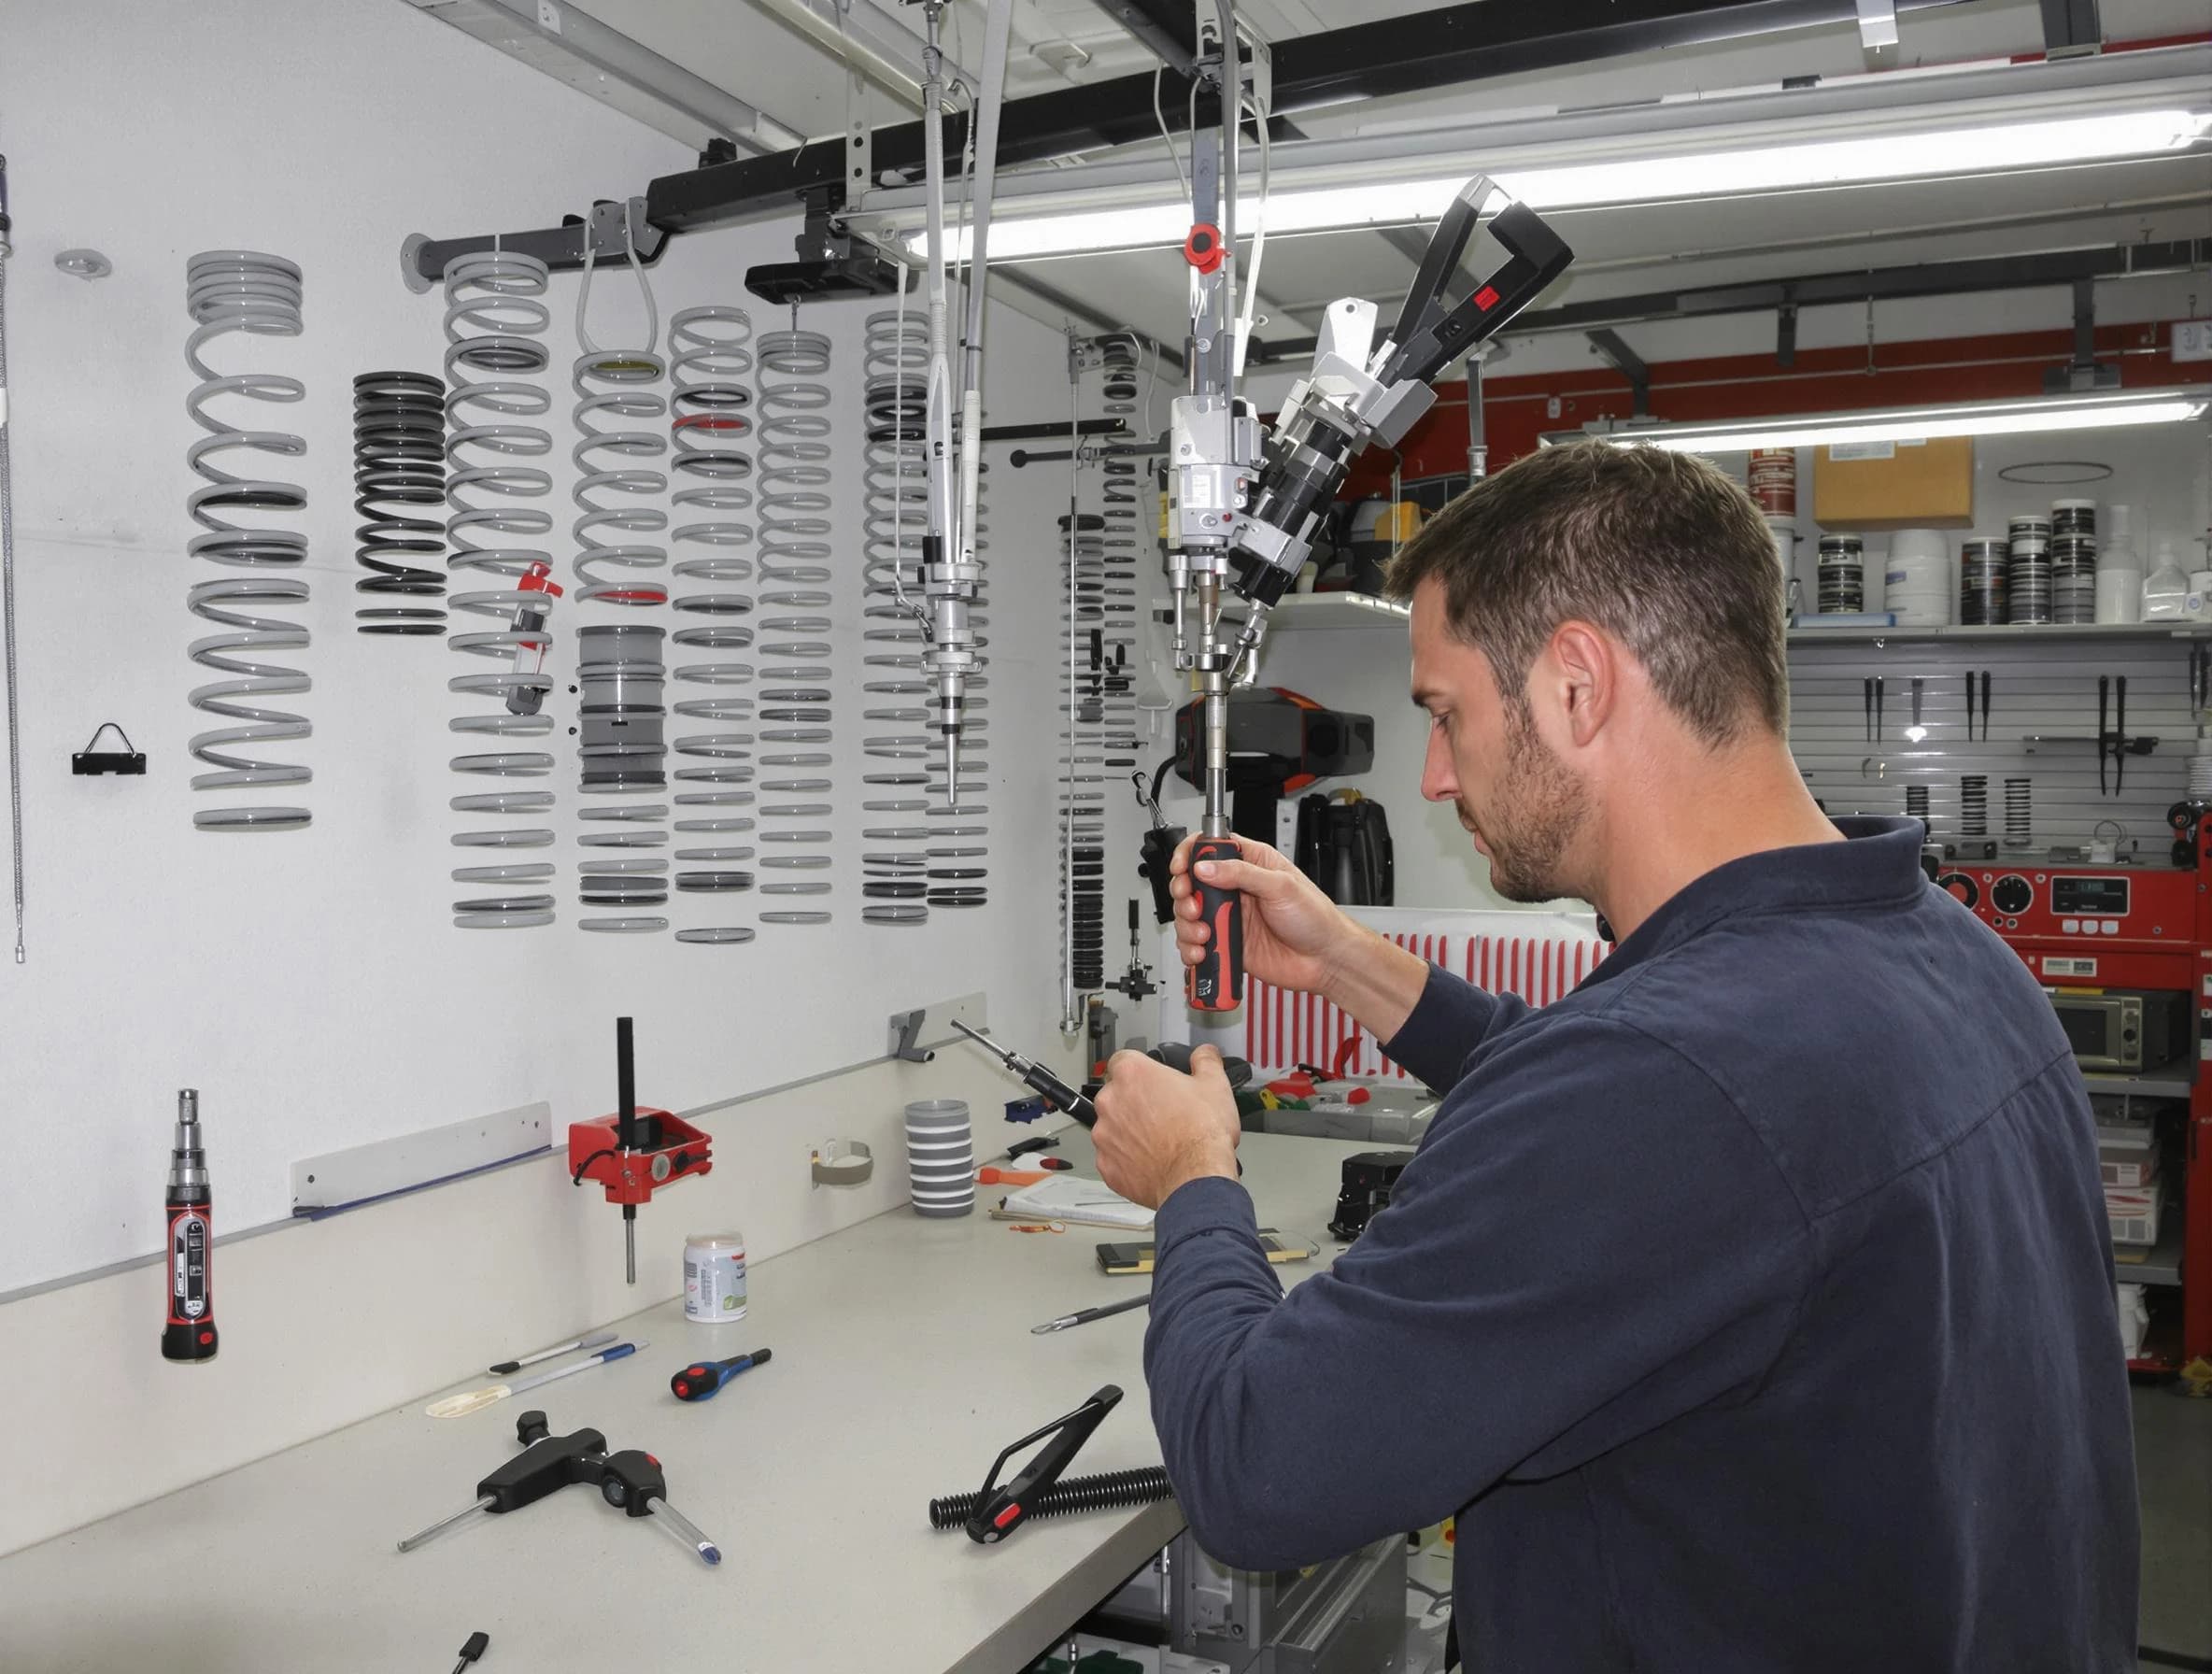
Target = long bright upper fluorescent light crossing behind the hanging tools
(1861,160)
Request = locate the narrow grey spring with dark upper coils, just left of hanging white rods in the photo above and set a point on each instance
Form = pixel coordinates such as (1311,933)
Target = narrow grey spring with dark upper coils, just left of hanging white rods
(897,516)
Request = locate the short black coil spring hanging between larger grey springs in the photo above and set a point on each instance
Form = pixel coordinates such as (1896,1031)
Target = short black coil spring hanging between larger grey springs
(399,463)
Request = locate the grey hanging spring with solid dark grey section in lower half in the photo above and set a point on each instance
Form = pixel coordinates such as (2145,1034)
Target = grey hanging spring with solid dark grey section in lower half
(620,667)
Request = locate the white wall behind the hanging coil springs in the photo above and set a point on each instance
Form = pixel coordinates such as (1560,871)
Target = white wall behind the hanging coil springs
(311,985)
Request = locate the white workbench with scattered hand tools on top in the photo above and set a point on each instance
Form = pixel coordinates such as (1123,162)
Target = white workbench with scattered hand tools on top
(904,1363)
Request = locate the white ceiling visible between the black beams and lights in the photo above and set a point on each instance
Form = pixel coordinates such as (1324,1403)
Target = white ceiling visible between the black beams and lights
(1623,251)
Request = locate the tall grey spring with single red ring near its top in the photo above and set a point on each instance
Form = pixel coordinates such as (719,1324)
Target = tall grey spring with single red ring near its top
(711,426)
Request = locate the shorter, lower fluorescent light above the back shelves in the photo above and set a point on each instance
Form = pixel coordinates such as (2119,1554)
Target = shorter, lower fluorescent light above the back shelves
(1914,423)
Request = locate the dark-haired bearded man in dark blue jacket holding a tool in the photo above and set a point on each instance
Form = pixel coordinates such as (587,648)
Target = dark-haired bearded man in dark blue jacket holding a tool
(1753,1306)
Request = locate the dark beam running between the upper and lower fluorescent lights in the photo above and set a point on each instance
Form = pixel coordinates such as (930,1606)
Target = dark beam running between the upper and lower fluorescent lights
(1826,291)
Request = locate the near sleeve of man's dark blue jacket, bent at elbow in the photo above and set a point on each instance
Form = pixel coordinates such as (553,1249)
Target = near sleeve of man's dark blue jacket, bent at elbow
(1589,1244)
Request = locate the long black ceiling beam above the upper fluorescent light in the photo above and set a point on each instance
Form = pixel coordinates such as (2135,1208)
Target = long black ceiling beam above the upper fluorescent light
(1430,50)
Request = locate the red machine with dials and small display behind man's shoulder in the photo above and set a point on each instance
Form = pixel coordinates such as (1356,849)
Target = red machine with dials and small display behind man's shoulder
(2127,956)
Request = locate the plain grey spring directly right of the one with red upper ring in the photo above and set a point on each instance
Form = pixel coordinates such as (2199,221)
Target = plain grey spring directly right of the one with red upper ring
(795,649)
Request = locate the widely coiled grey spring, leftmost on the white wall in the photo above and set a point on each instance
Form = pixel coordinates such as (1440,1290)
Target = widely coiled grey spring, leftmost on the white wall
(244,291)
